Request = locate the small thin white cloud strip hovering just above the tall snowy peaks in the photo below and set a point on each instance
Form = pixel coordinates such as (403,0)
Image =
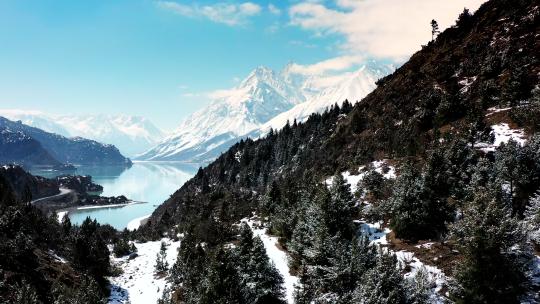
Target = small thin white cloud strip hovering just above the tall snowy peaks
(331,65)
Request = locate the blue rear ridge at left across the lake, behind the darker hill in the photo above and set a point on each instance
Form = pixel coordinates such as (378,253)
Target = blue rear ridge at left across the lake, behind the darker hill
(76,150)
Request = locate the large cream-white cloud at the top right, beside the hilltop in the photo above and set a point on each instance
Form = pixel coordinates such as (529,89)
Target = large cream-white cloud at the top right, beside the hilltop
(380,28)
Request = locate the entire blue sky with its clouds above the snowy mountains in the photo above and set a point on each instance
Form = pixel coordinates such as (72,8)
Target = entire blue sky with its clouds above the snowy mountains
(146,57)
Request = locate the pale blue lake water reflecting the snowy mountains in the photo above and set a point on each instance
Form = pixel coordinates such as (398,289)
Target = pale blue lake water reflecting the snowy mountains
(148,182)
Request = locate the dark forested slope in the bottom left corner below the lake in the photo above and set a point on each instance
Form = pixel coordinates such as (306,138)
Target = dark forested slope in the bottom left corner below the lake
(44,261)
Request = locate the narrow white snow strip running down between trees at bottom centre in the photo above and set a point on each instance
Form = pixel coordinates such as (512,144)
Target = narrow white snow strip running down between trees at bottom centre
(277,256)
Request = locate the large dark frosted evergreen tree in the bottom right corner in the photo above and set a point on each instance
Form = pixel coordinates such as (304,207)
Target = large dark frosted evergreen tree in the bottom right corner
(491,241)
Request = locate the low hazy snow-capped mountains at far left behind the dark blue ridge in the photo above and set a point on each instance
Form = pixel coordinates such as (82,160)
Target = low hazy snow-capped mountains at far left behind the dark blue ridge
(130,134)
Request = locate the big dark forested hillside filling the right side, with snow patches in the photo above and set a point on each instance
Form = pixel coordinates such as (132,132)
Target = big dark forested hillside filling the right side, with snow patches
(437,120)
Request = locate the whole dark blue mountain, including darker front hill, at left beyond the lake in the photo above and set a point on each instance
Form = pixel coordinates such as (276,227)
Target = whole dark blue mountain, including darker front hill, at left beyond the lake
(31,146)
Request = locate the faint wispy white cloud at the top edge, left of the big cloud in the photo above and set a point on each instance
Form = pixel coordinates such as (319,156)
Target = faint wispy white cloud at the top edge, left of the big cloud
(226,13)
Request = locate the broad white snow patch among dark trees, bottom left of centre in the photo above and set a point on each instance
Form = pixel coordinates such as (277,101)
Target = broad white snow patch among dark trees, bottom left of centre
(138,283)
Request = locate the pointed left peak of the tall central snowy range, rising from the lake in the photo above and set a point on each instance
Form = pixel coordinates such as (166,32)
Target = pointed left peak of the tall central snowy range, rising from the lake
(233,113)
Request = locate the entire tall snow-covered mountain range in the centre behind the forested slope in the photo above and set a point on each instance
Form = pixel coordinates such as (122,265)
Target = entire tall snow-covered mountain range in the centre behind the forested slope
(265,99)
